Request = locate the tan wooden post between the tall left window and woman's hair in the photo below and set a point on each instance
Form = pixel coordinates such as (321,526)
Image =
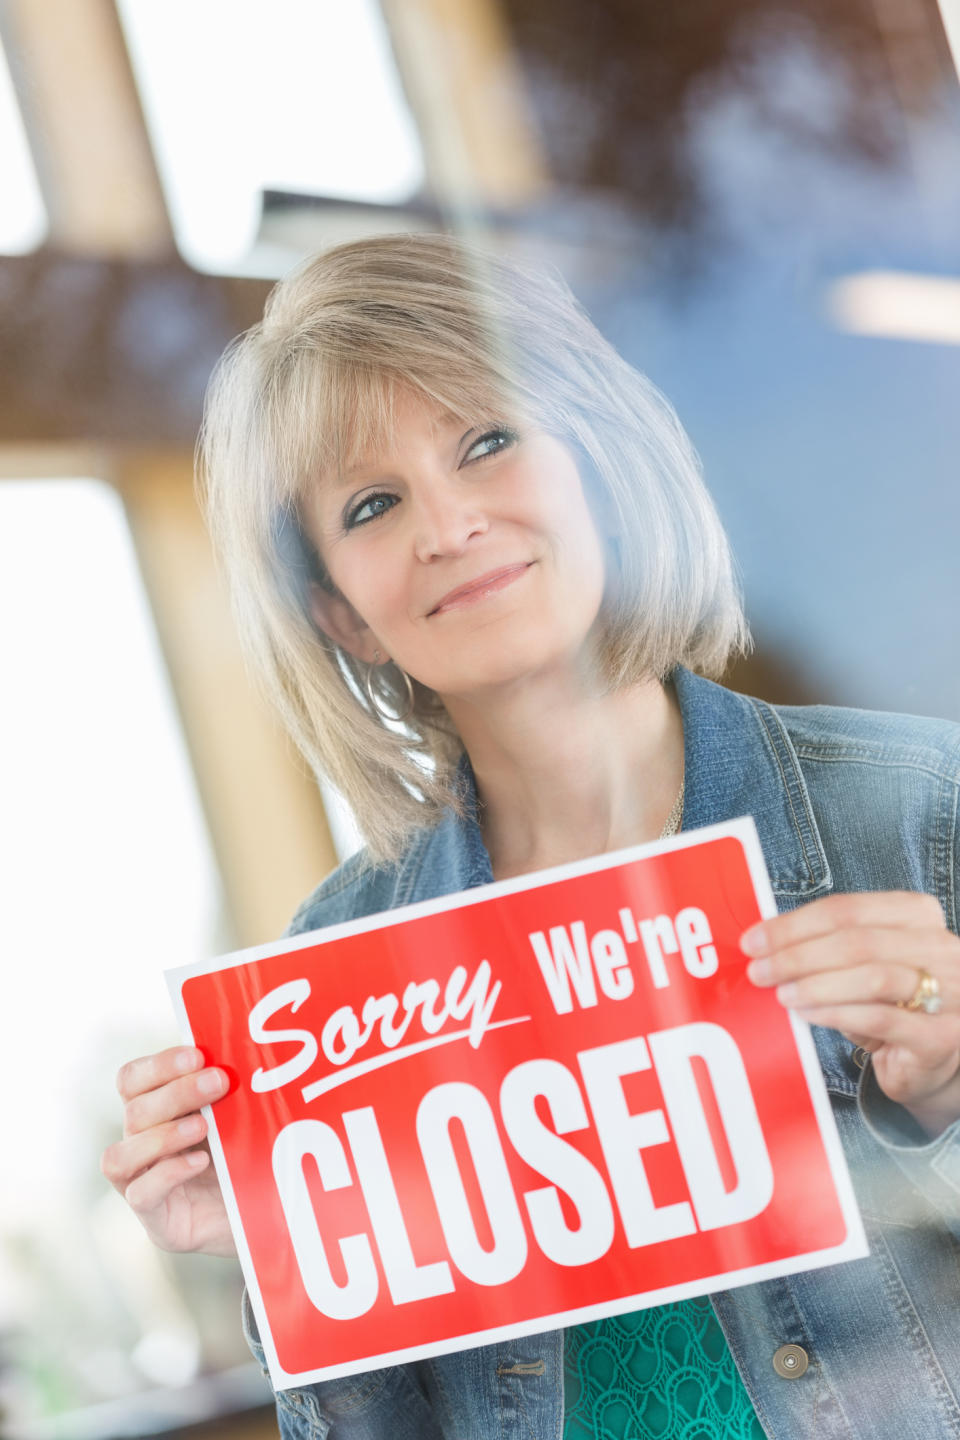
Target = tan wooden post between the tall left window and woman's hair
(264,810)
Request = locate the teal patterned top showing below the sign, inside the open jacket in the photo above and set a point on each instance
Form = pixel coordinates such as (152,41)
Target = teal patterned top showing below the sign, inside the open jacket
(660,1374)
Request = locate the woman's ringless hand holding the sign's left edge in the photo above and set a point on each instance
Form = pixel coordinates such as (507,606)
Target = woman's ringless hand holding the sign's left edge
(162,1169)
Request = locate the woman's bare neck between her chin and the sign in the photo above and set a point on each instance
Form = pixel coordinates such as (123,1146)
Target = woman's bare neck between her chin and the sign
(601,773)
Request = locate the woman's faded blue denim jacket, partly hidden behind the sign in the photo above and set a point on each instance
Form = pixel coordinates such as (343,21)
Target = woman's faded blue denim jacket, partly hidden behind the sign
(843,800)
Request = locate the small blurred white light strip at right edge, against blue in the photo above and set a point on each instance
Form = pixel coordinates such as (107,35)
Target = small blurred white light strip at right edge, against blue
(899,306)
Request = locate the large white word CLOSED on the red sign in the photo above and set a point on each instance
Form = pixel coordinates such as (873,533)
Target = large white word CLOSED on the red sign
(574,1213)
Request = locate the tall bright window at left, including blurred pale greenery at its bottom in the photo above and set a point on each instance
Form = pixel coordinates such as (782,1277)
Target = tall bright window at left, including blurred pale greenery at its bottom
(109,878)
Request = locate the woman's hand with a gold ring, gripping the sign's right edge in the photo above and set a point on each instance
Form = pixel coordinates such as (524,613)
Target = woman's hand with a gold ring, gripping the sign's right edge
(854,963)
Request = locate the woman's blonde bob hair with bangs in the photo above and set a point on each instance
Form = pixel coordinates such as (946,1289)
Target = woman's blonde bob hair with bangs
(312,388)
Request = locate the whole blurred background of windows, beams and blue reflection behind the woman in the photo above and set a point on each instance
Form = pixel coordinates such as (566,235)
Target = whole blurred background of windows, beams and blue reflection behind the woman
(759,204)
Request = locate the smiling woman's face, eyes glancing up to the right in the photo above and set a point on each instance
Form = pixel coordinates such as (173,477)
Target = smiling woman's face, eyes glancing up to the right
(468,557)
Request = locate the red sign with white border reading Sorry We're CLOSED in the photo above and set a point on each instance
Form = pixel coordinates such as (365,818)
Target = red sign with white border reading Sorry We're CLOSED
(535,1104)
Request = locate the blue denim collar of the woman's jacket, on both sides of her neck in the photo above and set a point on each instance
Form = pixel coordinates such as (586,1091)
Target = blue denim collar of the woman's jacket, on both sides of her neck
(739,761)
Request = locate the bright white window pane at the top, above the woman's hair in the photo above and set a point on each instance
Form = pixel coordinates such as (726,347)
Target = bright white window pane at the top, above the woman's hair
(245,96)
